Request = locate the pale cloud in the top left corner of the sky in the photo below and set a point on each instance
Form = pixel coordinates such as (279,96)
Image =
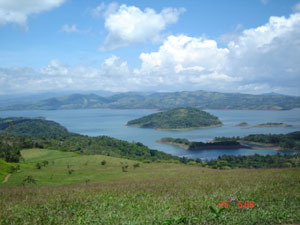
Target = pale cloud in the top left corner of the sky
(17,11)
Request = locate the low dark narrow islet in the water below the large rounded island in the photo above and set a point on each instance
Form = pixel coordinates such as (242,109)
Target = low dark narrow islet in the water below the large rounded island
(193,145)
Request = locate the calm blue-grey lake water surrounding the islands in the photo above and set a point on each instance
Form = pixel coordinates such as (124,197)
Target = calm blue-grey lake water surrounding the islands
(110,122)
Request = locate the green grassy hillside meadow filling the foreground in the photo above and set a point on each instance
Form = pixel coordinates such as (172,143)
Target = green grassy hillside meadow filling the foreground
(155,193)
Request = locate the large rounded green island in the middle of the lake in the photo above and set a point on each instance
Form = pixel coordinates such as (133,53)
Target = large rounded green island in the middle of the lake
(177,119)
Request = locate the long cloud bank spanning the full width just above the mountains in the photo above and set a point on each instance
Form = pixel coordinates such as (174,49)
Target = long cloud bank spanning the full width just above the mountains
(257,60)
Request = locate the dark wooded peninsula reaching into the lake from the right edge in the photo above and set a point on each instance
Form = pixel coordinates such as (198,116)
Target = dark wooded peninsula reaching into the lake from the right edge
(290,141)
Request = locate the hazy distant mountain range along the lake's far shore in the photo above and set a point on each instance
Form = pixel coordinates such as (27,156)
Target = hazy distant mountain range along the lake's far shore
(164,101)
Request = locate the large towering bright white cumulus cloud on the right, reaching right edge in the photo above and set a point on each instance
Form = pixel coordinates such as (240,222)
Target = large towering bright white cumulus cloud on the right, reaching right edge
(257,60)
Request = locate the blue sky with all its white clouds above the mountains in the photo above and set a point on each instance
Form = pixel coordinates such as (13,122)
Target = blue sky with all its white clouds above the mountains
(249,46)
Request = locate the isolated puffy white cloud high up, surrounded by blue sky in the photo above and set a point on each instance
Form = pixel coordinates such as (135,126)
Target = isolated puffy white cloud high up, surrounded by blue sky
(129,25)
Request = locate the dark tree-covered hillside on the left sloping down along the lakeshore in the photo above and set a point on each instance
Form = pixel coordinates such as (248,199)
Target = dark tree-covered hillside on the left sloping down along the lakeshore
(61,139)
